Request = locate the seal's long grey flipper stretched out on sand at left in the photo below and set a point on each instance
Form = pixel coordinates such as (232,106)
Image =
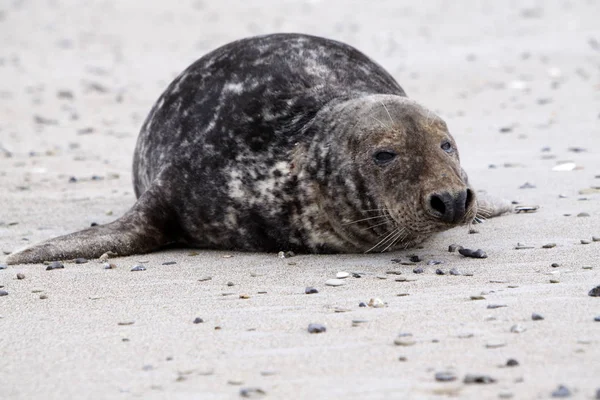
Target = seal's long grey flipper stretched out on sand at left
(148,225)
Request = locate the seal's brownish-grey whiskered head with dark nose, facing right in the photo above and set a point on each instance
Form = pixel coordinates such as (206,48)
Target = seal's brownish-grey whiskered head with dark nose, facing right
(400,171)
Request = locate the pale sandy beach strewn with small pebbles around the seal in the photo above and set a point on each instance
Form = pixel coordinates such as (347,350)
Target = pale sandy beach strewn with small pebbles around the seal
(518,84)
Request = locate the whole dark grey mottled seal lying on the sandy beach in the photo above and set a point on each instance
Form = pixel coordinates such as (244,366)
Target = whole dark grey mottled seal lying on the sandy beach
(284,142)
